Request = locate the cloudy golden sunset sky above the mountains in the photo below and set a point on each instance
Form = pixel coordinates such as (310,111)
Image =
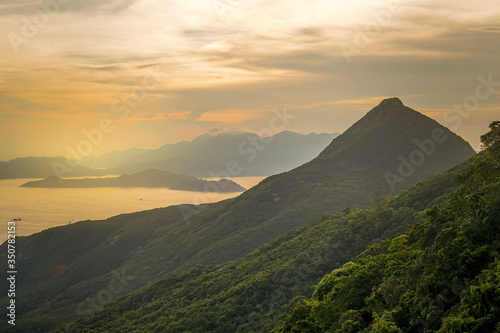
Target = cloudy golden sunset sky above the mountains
(141,73)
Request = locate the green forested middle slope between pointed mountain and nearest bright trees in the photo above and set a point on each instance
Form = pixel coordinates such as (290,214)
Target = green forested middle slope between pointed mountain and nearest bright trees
(256,292)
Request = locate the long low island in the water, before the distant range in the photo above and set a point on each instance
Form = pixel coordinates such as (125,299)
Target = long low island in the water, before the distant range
(148,178)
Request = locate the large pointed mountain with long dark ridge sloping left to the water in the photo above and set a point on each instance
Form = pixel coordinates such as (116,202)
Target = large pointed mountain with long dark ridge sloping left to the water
(150,244)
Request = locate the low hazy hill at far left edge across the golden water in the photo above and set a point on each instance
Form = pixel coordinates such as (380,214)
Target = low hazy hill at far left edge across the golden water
(42,167)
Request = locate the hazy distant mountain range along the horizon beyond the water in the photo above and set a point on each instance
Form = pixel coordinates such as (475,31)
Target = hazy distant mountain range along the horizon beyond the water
(218,153)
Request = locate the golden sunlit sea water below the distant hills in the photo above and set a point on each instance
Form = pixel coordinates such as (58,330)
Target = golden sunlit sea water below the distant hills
(43,208)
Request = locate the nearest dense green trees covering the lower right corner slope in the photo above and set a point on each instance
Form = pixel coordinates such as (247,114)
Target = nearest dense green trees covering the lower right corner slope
(441,276)
